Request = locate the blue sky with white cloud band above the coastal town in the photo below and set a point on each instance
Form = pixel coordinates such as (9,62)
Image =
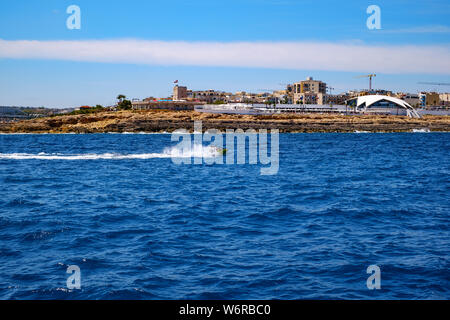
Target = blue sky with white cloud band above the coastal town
(35,76)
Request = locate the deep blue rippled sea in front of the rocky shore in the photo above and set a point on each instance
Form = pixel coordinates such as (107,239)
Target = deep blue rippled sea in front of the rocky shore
(139,226)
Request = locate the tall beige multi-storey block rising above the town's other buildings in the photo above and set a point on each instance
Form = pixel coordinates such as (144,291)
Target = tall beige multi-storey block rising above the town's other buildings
(309,91)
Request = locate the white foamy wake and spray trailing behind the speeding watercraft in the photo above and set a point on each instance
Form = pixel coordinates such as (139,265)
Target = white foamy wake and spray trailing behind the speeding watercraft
(172,152)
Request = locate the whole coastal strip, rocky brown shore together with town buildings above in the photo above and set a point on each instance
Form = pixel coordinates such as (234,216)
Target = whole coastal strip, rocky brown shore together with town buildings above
(304,106)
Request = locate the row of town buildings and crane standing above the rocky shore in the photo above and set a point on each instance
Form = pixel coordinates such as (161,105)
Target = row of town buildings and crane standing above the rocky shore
(306,96)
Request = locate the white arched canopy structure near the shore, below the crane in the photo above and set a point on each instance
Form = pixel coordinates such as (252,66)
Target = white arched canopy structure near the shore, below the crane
(383,104)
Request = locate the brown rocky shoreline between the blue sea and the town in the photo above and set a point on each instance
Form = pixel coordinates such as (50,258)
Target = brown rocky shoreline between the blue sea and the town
(168,121)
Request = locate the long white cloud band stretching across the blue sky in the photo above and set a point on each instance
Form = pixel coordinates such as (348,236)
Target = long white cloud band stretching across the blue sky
(283,55)
